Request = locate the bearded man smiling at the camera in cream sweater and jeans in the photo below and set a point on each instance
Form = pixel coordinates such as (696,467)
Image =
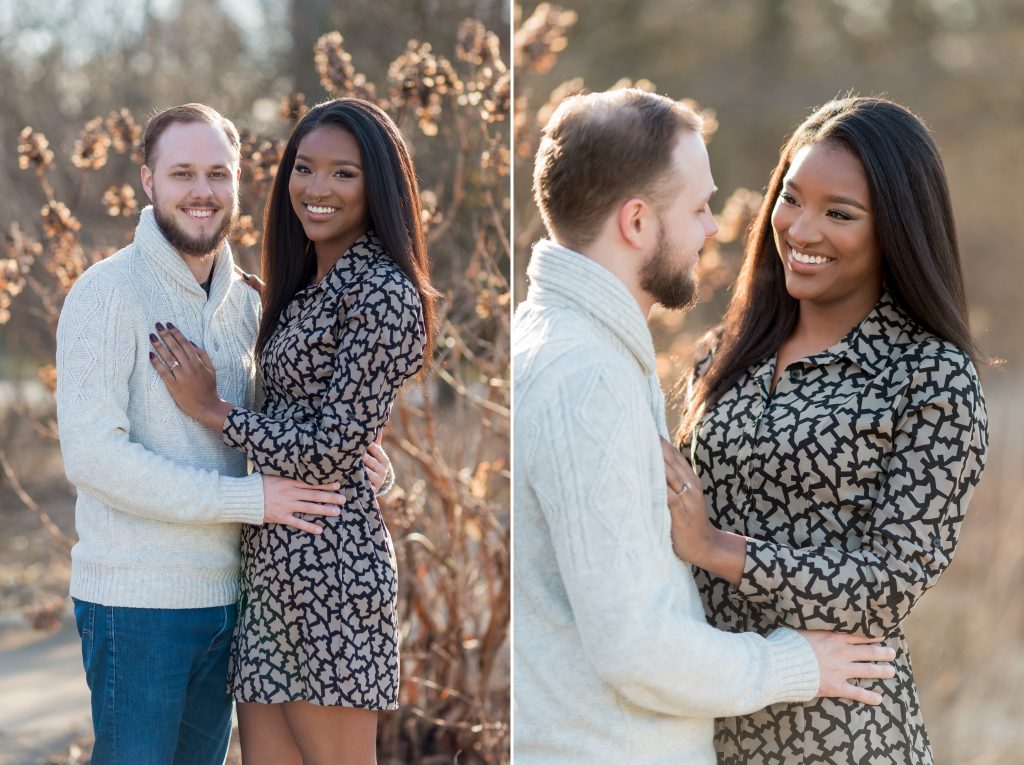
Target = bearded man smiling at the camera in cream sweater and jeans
(161,498)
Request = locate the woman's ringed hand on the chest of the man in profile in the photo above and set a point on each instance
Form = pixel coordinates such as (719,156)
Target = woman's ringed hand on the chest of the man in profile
(695,539)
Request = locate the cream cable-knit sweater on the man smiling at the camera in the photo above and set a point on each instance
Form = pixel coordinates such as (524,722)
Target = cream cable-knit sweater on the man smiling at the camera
(160,497)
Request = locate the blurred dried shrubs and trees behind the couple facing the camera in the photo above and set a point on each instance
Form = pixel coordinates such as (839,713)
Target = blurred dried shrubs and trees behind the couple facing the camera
(79,81)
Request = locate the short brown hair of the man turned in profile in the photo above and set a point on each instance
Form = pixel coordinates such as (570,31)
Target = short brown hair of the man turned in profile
(600,150)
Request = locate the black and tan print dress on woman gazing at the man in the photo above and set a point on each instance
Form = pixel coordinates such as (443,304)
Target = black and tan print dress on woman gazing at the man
(852,480)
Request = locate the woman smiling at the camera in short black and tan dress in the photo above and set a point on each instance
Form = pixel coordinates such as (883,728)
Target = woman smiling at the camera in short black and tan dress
(348,320)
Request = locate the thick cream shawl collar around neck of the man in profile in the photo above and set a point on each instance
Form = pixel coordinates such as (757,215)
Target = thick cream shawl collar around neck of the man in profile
(560,275)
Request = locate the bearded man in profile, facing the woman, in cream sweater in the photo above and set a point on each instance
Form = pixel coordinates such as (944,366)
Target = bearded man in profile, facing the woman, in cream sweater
(615,662)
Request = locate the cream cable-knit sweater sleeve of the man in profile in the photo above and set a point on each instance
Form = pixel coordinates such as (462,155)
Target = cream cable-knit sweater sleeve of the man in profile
(588,453)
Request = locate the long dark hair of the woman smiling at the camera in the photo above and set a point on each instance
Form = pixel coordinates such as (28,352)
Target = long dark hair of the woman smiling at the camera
(393,204)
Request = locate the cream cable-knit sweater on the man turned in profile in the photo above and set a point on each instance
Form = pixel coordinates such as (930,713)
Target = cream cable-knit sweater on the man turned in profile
(615,662)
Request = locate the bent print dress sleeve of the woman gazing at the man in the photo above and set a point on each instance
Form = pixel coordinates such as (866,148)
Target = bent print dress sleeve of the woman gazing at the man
(937,459)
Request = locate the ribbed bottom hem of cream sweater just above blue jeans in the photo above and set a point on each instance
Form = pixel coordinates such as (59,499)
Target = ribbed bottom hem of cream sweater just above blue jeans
(153,586)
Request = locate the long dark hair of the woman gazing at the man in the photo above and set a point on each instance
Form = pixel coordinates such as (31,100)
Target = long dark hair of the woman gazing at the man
(914,223)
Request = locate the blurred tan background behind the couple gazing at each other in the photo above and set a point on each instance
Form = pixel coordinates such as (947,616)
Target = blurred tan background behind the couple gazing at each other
(757,69)
